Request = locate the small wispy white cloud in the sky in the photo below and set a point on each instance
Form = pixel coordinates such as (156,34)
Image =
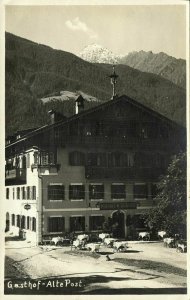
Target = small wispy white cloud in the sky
(77,25)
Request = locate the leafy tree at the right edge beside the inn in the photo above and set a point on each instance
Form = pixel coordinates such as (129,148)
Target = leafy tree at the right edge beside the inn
(170,213)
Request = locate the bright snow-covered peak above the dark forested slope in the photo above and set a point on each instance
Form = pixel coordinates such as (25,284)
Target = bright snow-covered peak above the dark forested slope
(97,54)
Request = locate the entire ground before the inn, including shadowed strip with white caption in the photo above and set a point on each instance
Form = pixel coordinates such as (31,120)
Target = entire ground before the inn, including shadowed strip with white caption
(60,270)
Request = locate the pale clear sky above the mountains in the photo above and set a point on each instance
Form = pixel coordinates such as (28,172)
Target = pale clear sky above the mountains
(120,28)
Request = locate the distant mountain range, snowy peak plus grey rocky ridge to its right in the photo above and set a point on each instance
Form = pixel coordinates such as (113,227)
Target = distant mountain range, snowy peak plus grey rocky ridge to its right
(160,63)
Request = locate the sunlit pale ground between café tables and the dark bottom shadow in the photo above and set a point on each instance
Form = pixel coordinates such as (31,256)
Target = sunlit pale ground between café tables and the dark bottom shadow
(98,273)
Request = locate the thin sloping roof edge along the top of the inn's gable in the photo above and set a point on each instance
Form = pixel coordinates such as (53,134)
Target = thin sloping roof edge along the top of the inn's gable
(95,109)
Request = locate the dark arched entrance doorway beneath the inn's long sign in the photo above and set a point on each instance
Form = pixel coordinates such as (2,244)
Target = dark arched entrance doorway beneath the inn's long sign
(118,224)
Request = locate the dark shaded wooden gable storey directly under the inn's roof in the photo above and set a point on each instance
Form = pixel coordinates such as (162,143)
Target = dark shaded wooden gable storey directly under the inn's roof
(122,122)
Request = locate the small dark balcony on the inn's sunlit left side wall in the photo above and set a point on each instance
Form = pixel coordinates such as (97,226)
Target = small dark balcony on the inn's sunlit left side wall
(16,175)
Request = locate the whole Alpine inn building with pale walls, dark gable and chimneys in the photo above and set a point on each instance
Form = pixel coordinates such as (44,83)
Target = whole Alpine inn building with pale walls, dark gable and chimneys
(94,169)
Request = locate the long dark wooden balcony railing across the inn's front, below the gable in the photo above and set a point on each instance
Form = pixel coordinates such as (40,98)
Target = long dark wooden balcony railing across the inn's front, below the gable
(92,172)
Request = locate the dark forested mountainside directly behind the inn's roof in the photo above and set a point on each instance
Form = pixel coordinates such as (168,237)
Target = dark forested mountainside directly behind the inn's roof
(34,71)
